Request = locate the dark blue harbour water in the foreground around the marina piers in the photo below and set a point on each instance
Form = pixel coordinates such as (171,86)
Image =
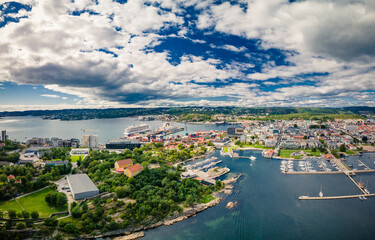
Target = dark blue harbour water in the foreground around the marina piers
(269,207)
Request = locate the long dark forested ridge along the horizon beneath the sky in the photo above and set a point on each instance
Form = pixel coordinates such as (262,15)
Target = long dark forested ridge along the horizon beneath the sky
(81,114)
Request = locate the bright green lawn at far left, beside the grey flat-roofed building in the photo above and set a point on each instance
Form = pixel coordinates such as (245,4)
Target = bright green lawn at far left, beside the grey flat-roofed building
(32,202)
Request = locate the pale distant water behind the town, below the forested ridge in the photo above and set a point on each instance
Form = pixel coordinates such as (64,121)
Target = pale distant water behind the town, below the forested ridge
(27,127)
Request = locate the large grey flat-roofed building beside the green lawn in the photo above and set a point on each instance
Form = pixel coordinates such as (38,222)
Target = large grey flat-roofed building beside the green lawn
(81,186)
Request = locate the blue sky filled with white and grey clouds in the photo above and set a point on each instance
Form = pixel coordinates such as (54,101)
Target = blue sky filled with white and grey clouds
(255,53)
